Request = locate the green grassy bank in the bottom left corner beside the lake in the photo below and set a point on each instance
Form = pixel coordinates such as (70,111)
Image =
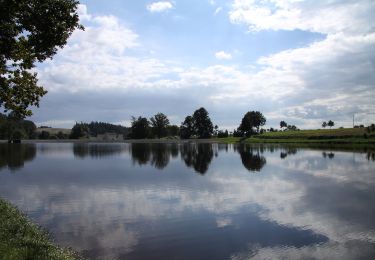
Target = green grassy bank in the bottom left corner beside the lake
(21,239)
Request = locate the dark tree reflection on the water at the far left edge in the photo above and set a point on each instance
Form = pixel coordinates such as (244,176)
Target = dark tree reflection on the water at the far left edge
(14,156)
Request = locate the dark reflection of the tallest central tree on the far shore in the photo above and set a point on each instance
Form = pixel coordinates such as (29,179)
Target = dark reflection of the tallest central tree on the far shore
(197,155)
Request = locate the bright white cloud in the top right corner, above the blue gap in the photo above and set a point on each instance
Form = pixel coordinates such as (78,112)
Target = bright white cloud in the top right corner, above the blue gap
(315,16)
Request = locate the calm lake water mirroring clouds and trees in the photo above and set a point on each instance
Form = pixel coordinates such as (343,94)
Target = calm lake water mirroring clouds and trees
(196,201)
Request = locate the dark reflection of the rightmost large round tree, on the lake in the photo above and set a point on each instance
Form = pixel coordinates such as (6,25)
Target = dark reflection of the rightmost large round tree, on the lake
(252,158)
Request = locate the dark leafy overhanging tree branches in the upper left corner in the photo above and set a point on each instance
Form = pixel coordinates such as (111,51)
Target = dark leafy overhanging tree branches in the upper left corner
(30,31)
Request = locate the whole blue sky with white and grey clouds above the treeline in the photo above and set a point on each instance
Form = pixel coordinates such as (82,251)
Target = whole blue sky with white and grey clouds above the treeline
(303,62)
